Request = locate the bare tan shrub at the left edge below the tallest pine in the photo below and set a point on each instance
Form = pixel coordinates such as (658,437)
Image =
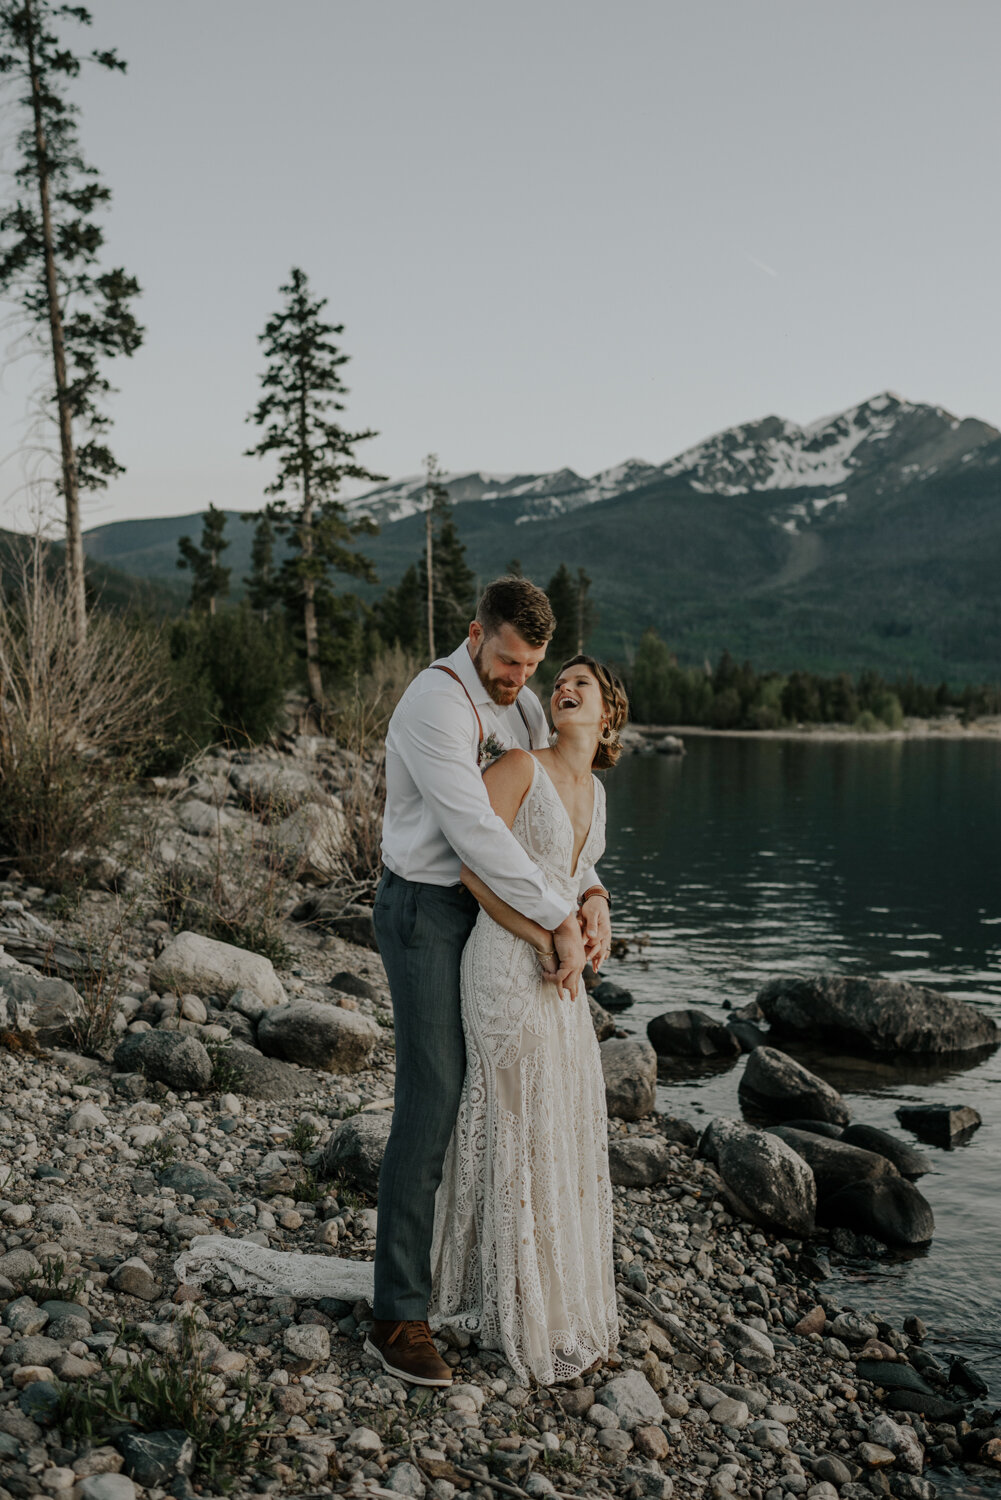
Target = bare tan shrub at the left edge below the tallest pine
(74,715)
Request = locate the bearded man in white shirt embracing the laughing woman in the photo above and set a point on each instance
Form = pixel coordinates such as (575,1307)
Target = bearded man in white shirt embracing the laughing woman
(452,719)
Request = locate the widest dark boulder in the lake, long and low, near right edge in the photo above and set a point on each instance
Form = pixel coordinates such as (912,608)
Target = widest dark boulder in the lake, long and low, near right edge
(876,1015)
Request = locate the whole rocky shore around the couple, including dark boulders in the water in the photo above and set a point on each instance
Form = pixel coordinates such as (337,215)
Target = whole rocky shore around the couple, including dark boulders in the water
(197,1040)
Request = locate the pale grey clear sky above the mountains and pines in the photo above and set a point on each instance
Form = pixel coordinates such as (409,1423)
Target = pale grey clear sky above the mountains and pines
(556,232)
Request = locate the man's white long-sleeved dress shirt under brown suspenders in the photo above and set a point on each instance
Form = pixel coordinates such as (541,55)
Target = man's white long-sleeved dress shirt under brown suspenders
(437,812)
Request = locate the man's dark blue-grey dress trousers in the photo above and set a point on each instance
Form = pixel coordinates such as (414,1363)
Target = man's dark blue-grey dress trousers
(421,931)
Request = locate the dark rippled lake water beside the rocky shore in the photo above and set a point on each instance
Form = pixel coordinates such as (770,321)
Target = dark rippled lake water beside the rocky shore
(747,860)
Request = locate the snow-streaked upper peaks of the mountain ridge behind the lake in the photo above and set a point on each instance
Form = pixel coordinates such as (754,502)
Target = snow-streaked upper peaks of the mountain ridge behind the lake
(885,440)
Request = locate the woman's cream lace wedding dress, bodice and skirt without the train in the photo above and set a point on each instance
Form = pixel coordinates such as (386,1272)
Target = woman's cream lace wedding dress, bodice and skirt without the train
(523,1241)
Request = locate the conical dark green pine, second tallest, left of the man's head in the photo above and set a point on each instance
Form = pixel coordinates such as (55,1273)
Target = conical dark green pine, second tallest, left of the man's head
(302,386)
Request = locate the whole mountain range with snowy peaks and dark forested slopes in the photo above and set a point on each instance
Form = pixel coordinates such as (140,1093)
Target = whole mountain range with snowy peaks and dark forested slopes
(865,539)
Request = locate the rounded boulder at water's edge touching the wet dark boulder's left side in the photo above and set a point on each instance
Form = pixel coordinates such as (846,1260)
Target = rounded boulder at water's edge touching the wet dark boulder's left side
(768,1183)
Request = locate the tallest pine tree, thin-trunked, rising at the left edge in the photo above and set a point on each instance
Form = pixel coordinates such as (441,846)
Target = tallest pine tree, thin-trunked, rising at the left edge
(50,241)
